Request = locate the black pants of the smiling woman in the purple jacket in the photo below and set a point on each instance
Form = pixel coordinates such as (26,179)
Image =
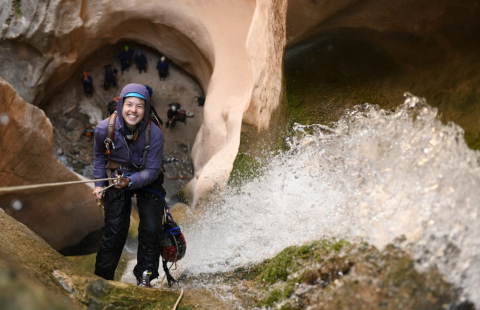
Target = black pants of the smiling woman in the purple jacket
(118,205)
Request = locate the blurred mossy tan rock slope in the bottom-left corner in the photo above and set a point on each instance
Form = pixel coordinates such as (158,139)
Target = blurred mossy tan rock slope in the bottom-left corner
(31,272)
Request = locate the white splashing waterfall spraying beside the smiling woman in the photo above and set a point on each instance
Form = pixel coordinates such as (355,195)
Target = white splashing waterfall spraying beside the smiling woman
(375,175)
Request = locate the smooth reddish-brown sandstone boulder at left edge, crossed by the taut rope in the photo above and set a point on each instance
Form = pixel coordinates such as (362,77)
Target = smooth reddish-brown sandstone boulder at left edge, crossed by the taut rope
(61,215)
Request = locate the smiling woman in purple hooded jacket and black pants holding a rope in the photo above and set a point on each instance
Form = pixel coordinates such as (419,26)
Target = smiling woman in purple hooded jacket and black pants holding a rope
(140,169)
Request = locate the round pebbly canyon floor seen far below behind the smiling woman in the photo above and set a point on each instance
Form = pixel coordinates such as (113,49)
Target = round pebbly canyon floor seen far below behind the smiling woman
(70,110)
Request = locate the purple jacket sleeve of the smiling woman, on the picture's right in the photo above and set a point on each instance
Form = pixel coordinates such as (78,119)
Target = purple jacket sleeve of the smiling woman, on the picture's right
(153,163)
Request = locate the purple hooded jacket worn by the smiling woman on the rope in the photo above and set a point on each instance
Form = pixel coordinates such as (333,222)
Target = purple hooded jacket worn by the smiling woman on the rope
(134,153)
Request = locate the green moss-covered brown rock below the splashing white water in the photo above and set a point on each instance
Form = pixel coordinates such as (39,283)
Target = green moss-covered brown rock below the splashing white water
(334,274)
